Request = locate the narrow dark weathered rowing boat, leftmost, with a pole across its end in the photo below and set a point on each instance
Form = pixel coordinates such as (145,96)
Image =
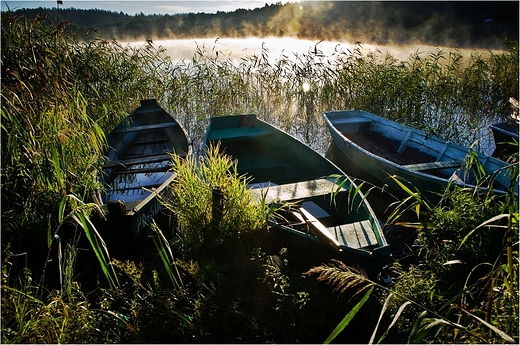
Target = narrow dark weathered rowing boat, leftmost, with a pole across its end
(138,165)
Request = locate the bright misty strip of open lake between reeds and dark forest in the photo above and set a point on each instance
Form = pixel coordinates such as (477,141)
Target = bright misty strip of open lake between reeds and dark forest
(285,47)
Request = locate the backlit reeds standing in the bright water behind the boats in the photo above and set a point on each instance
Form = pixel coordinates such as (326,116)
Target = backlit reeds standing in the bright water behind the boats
(442,92)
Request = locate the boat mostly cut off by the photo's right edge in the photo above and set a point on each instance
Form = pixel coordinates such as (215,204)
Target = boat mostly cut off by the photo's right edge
(505,135)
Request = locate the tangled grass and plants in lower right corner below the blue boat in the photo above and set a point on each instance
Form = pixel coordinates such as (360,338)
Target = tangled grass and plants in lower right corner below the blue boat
(463,268)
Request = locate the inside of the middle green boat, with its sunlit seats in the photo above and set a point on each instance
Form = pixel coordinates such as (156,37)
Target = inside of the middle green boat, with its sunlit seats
(299,181)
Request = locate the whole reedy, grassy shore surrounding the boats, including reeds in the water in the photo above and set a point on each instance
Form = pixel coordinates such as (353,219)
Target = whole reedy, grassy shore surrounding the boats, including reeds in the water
(456,278)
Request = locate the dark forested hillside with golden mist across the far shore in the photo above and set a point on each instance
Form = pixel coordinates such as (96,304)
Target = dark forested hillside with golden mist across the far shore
(475,24)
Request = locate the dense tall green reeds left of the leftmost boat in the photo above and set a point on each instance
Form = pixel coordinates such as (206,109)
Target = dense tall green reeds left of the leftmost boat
(59,96)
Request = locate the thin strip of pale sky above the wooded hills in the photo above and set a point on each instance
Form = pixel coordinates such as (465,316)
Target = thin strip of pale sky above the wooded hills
(132,7)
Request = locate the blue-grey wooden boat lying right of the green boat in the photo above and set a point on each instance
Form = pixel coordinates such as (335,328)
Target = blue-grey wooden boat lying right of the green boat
(374,148)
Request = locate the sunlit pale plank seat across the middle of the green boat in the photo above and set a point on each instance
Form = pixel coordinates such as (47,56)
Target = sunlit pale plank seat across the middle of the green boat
(297,190)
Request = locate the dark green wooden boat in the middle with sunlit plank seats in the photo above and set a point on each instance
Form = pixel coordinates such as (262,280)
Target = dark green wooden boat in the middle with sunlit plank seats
(320,225)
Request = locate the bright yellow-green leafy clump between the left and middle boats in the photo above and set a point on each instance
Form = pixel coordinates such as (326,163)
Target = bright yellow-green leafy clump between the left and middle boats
(212,205)
